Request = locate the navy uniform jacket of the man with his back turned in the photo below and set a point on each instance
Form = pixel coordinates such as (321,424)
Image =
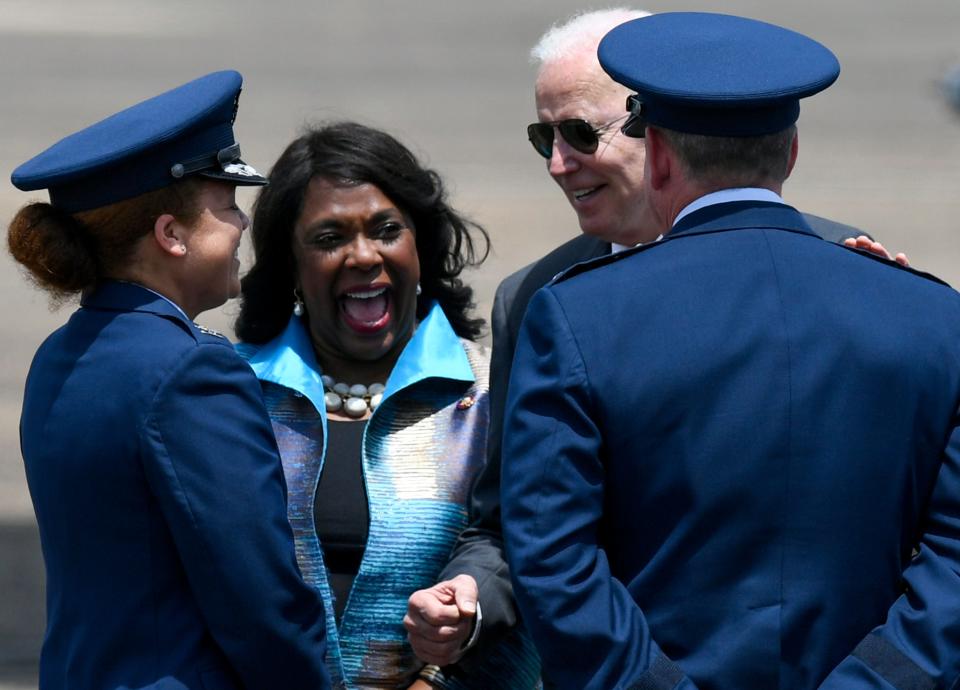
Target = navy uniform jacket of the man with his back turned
(721,452)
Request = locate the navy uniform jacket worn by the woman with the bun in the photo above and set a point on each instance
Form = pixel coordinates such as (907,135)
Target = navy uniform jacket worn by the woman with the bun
(160,499)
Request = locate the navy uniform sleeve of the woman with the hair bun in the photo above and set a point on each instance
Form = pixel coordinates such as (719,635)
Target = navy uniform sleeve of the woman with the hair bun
(212,462)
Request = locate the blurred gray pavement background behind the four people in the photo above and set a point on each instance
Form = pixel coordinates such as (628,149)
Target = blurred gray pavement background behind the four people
(879,150)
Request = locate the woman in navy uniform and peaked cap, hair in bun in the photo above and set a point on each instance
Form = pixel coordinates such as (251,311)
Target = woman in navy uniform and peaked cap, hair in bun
(149,455)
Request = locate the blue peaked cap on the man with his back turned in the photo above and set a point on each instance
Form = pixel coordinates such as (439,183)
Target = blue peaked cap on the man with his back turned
(714,74)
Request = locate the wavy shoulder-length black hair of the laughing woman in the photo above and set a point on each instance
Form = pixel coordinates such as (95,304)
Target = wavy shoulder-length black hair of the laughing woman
(356,154)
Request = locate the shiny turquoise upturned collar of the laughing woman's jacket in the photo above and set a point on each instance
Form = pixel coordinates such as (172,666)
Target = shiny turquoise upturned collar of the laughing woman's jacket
(434,351)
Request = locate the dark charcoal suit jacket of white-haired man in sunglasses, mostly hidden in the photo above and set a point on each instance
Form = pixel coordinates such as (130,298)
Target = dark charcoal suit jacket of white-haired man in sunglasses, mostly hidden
(479,549)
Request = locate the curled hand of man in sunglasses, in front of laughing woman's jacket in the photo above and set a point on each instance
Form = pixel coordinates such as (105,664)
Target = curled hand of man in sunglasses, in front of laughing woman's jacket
(439,620)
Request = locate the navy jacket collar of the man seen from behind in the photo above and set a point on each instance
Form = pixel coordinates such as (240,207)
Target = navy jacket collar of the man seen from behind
(735,215)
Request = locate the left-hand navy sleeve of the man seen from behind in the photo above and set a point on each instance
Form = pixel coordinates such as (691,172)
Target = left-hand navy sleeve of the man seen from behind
(590,633)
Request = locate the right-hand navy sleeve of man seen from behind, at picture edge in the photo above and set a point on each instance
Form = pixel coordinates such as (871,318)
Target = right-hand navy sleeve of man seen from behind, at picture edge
(918,647)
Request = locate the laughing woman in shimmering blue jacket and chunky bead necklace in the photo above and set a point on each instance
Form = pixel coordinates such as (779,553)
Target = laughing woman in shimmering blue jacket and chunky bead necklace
(357,324)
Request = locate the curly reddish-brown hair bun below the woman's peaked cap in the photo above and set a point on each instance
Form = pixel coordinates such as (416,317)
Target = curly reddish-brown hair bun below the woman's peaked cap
(55,248)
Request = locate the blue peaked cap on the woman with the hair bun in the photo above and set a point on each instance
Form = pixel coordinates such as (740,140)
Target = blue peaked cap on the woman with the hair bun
(185,131)
